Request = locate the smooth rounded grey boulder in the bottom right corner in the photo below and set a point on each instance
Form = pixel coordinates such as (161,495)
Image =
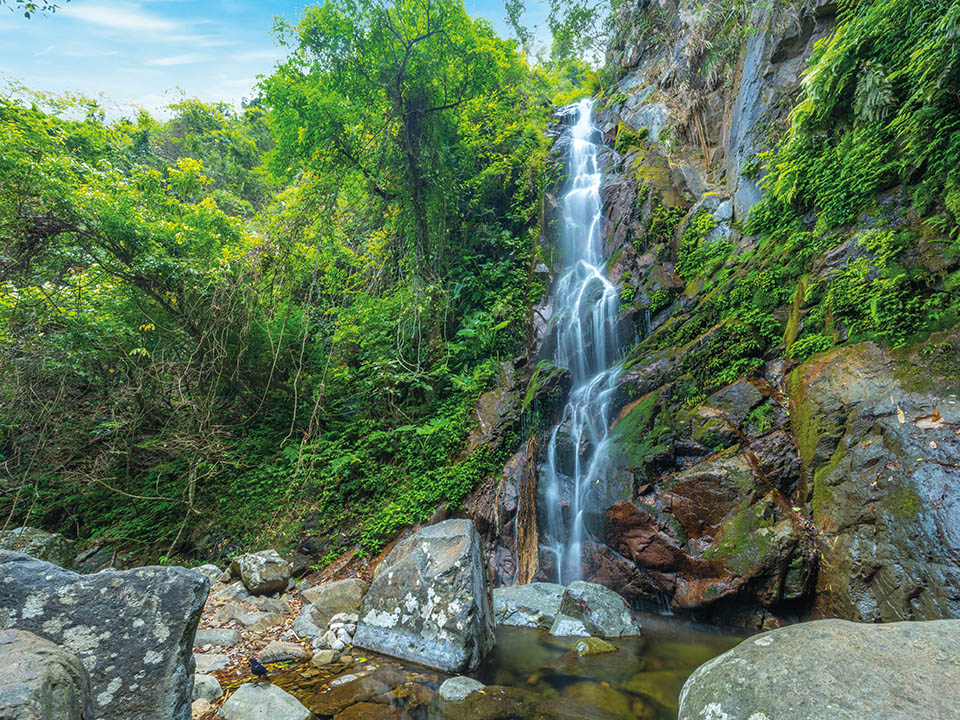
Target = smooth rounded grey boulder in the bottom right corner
(833,669)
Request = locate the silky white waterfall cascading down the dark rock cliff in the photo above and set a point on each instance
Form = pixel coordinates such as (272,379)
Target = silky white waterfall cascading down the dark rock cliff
(585,305)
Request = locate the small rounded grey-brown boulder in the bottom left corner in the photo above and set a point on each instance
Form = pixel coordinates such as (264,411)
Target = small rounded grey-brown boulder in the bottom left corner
(41,680)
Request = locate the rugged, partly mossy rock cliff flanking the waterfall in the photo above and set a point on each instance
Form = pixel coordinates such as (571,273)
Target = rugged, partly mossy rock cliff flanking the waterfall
(756,481)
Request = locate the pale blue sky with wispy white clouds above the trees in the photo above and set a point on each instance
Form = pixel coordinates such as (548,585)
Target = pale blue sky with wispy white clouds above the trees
(145,53)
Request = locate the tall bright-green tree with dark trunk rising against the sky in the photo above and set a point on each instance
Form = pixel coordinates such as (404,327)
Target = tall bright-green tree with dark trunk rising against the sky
(375,89)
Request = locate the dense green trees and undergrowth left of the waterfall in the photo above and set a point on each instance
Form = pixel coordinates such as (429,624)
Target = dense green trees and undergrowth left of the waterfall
(227,320)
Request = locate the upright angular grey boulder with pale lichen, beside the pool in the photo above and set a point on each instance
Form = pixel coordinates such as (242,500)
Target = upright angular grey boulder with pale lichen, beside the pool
(429,602)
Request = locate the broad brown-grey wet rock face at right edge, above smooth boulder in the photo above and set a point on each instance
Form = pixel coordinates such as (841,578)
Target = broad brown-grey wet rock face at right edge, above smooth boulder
(878,435)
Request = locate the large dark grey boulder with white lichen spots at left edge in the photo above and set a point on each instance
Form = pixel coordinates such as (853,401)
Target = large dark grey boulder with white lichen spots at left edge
(133,631)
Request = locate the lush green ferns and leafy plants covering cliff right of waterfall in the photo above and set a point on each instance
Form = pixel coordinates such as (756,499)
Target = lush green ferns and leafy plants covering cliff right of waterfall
(869,169)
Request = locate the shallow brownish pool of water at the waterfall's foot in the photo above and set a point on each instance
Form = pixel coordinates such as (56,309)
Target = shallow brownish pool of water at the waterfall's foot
(530,674)
